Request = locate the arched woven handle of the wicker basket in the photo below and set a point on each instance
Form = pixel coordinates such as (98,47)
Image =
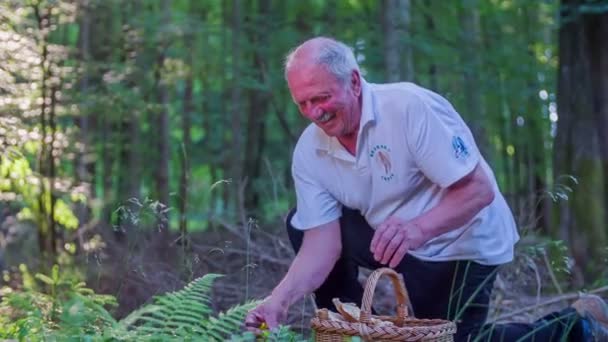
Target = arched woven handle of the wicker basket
(403,299)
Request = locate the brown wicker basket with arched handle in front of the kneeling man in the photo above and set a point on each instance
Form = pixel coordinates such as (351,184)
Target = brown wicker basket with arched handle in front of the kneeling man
(404,328)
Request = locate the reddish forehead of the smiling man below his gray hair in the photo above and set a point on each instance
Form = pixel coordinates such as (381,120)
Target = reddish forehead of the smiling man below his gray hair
(307,80)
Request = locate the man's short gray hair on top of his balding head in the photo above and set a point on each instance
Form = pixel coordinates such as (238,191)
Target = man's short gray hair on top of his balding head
(336,57)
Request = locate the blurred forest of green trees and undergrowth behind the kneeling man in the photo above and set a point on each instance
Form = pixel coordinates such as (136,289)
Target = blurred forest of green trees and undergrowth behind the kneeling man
(146,143)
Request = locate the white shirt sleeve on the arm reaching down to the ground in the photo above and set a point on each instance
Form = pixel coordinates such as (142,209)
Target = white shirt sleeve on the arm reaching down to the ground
(315,205)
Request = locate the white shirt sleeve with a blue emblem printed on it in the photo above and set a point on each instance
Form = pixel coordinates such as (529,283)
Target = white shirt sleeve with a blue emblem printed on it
(440,142)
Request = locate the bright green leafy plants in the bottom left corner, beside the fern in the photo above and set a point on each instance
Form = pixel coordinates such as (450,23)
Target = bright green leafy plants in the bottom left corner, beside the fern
(53,308)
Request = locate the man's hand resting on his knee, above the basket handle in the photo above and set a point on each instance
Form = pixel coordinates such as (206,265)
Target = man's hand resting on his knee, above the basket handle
(394,238)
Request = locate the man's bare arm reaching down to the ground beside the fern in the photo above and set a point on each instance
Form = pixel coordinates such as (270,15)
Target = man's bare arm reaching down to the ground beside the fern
(316,258)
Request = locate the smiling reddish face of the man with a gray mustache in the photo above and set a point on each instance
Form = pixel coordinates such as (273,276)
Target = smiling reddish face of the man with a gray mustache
(321,98)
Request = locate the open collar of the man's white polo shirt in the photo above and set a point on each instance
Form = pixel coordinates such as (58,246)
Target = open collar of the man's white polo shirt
(332,145)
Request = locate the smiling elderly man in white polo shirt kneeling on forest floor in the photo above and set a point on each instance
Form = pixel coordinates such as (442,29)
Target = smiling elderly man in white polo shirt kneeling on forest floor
(390,175)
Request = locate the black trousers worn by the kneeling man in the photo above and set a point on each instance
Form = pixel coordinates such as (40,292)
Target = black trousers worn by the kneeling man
(454,290)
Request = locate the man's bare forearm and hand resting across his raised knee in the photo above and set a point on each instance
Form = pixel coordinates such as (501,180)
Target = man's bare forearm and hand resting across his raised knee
(461,202)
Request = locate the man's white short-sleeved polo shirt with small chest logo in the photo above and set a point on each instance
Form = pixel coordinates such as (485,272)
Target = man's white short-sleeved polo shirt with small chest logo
(411,145)
